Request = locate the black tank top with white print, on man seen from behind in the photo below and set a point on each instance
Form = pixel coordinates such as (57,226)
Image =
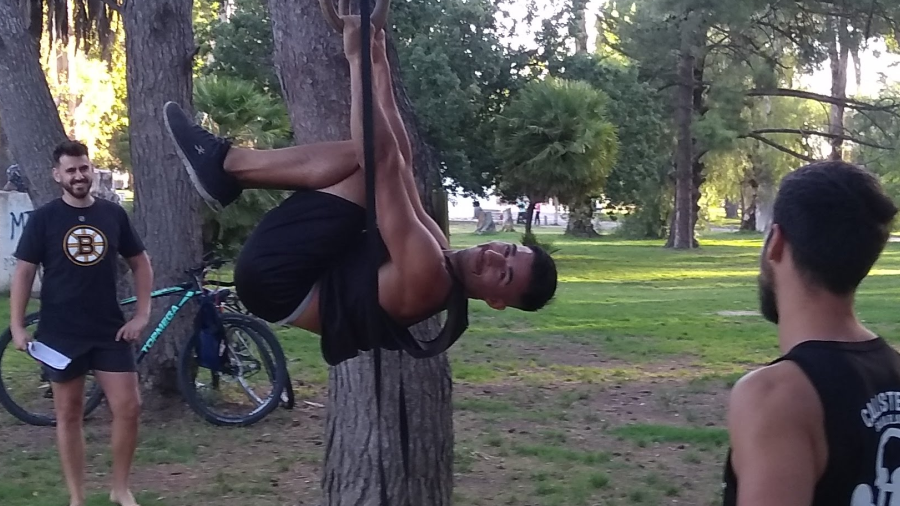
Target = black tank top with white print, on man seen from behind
(859,387)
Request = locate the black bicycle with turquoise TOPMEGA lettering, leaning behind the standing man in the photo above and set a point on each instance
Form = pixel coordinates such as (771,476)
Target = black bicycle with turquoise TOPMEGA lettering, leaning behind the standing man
(227,359)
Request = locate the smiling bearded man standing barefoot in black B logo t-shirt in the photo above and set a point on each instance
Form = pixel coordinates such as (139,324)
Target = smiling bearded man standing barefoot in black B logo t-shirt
(76,239)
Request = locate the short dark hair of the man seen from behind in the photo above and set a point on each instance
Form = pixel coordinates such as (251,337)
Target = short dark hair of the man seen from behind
(837,219)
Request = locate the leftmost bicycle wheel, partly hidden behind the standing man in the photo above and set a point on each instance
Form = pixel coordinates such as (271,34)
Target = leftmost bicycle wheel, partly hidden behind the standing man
(24,390)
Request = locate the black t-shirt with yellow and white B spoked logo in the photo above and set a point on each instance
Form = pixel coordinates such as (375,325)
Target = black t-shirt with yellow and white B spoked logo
(78,249)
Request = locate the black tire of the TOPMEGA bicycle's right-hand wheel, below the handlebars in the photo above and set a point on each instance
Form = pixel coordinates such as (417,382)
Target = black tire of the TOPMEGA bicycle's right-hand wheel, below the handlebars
(257,332)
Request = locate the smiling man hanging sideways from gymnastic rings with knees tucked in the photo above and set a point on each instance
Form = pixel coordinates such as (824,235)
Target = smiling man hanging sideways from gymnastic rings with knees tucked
(305,262)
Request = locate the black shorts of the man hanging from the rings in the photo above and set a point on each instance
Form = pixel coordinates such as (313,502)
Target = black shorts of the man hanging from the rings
(291,248)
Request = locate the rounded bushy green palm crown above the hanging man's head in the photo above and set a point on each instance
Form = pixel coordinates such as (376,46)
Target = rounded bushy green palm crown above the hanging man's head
(554,140)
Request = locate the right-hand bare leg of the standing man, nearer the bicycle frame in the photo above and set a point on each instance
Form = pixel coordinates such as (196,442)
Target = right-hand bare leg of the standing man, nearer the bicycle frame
(124,397)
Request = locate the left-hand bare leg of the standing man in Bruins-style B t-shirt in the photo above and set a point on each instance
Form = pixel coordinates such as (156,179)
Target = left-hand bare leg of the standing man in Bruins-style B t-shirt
(68,400)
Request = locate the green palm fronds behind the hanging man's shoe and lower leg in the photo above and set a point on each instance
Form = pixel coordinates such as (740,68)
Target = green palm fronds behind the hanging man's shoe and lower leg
(236,109)
